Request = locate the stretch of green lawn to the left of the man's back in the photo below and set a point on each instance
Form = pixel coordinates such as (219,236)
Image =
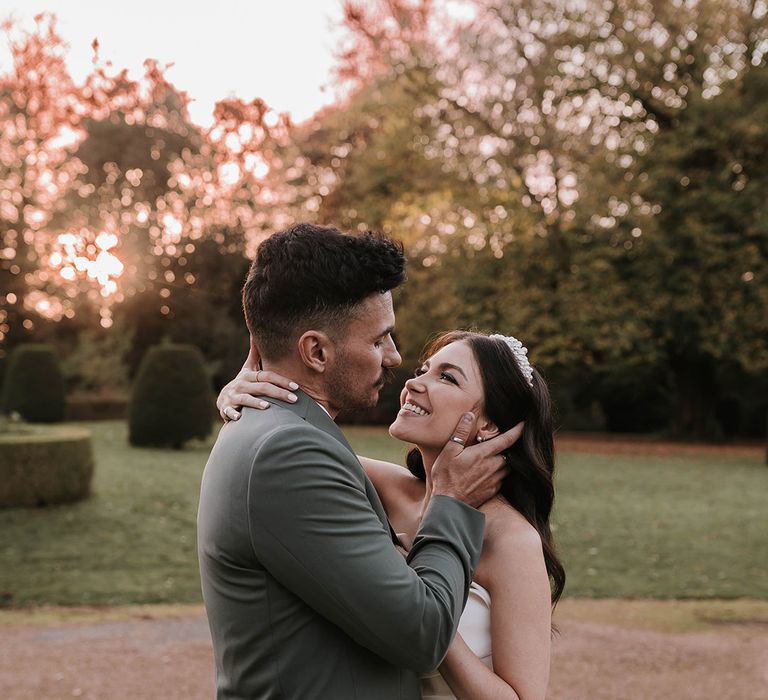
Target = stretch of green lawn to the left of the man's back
(132,541)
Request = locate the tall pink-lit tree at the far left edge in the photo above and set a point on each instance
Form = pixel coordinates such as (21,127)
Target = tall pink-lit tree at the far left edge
(38,132)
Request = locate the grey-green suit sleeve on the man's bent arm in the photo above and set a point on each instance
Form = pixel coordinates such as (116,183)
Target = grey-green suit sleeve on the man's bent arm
(313,527)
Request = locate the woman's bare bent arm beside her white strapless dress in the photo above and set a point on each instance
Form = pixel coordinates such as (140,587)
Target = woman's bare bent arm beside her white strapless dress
(517,582)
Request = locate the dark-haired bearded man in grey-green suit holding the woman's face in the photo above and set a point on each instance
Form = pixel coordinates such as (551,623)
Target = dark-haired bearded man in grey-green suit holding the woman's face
(307,596)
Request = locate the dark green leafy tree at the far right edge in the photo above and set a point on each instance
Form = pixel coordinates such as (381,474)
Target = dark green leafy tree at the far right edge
(709,244)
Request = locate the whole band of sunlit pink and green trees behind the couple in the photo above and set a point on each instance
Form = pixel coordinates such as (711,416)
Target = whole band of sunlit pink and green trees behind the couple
(586,176)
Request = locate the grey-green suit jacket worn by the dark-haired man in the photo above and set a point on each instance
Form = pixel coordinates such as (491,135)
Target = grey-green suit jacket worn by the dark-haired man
(307,598)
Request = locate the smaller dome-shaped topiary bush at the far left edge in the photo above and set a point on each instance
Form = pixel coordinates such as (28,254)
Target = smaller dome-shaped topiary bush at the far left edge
(34,385)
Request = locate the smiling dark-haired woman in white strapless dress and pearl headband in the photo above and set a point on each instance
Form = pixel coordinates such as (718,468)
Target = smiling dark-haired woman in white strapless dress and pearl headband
(502,649)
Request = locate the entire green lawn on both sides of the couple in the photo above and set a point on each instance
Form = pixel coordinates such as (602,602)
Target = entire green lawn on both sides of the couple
(626,527)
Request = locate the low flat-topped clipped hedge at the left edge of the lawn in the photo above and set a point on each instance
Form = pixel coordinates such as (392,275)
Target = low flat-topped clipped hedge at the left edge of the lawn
(45,466)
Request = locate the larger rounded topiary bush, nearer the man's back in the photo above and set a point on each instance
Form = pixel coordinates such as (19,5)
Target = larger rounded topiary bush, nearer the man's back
(172,400)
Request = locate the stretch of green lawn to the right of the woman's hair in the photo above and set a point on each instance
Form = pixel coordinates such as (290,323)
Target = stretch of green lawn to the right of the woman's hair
(672,527)
